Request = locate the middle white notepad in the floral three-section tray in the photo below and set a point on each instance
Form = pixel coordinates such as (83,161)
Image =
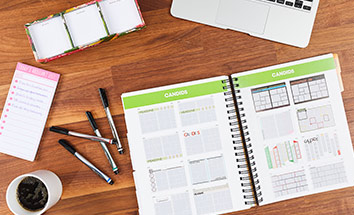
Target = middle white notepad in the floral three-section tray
(85,25)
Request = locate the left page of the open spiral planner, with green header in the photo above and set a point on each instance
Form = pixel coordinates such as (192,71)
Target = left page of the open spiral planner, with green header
(181,149)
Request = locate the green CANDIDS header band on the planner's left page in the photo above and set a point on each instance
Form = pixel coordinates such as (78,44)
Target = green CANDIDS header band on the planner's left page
(175,94)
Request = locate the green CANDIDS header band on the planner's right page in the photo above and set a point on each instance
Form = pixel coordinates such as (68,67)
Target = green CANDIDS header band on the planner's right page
(285,73)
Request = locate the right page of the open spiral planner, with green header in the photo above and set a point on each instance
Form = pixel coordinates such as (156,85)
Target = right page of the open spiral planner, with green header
(298,128)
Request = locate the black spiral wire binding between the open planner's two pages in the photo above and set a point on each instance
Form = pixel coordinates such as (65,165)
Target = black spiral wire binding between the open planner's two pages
(242,145)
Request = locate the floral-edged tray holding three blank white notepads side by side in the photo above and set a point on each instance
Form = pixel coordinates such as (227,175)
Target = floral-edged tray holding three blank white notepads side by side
(83,26)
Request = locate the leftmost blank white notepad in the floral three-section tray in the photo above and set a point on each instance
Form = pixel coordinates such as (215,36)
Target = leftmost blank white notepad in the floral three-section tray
(50,37)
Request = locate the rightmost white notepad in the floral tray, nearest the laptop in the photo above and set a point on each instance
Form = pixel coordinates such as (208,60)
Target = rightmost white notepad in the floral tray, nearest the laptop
(120,15)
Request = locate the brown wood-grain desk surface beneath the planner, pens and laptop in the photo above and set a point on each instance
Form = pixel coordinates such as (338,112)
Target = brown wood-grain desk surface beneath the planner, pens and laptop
(168,51)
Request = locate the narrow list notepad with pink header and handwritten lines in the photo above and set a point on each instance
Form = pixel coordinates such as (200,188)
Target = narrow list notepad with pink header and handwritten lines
(26,111)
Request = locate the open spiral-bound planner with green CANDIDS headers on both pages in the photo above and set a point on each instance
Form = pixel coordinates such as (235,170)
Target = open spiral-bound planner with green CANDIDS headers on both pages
(225,144)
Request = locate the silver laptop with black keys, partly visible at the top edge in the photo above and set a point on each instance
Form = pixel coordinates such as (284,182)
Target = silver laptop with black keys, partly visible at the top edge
(285,21)
